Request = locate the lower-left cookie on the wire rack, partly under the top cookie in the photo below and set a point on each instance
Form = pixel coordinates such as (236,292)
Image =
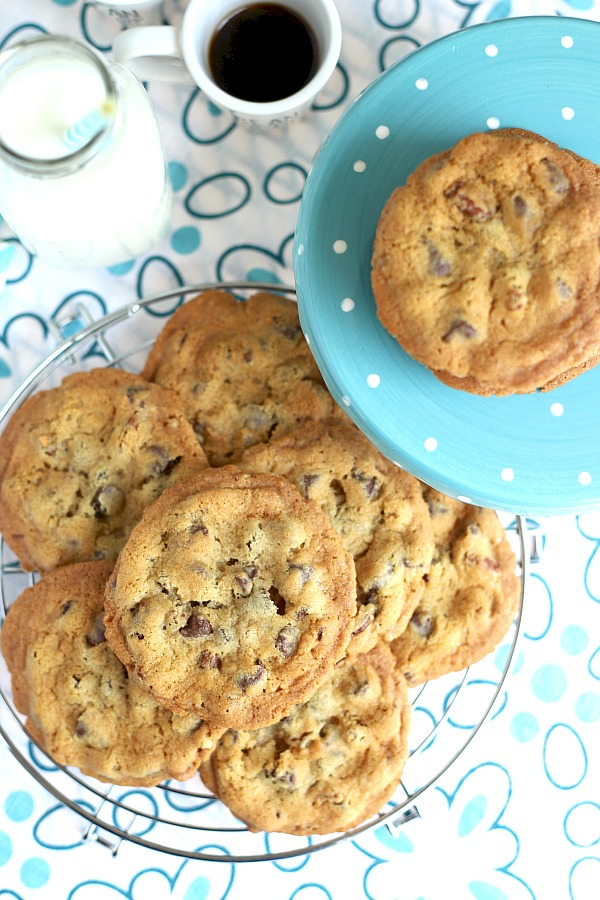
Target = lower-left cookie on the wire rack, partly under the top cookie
(79,702)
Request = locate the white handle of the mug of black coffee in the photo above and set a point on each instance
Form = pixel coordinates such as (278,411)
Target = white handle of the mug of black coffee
(152,52)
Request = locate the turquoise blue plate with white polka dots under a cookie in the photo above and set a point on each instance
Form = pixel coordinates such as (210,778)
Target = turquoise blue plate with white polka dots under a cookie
(533,455)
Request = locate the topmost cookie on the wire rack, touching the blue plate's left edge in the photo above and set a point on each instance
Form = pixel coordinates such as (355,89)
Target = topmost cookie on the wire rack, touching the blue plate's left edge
(243,370)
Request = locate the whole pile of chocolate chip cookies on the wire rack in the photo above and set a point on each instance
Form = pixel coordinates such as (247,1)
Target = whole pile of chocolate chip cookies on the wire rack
(234,581)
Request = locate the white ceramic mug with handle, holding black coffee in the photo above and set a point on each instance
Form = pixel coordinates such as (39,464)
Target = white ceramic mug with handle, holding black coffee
(169,53)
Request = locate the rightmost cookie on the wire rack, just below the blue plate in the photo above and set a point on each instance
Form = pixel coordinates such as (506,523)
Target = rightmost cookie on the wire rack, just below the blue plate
(471,595)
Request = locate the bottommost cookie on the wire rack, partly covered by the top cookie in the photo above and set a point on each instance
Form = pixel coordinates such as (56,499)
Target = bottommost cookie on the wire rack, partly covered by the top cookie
(330,764)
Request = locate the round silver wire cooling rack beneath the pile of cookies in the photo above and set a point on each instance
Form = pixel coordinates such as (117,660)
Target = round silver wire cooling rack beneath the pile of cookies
(185,819)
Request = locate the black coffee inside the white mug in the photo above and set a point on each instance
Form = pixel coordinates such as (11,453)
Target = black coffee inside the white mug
(263,52)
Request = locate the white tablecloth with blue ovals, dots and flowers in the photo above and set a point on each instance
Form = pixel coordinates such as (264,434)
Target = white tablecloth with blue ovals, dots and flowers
(518,815)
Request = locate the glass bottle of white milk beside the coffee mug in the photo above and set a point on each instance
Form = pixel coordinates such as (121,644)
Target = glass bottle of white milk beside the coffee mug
(83,178)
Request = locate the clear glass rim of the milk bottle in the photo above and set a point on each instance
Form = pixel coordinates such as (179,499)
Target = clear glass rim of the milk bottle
(72,159)
